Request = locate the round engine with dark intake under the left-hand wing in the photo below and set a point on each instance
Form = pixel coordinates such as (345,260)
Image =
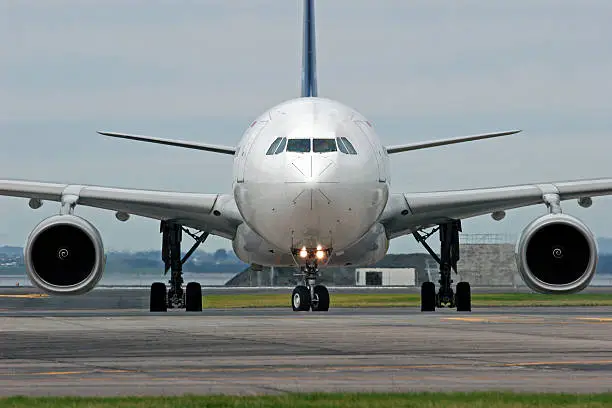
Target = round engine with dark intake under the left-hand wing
(64,255)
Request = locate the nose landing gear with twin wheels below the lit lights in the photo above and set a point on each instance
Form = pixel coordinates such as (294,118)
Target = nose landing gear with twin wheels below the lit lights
(310,296)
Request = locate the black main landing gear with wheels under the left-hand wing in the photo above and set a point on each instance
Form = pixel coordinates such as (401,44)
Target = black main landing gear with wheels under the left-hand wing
(176,298)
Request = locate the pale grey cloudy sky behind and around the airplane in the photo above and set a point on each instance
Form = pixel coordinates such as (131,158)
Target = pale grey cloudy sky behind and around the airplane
(202,70)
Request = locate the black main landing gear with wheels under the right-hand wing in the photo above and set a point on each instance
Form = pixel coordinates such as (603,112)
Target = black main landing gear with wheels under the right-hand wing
(449,256)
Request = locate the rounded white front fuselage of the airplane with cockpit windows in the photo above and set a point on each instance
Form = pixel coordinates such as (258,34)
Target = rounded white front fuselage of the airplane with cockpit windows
(297,185)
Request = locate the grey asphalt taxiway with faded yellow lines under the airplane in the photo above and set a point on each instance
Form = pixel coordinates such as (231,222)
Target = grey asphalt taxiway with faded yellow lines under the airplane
(125,350)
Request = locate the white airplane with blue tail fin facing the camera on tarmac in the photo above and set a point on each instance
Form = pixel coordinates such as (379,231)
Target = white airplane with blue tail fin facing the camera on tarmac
(310,190)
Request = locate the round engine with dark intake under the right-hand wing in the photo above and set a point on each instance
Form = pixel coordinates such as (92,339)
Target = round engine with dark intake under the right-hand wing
(556,253)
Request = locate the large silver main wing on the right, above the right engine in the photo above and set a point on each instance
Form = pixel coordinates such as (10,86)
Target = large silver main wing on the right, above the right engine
(407,212)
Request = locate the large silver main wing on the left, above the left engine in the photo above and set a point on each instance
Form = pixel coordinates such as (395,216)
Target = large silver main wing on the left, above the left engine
(214,213)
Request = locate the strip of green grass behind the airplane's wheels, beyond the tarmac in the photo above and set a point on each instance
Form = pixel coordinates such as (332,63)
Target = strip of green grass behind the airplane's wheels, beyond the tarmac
(408,300)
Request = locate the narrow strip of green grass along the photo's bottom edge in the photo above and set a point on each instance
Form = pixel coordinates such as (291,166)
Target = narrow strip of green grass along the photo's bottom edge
(416,400)
